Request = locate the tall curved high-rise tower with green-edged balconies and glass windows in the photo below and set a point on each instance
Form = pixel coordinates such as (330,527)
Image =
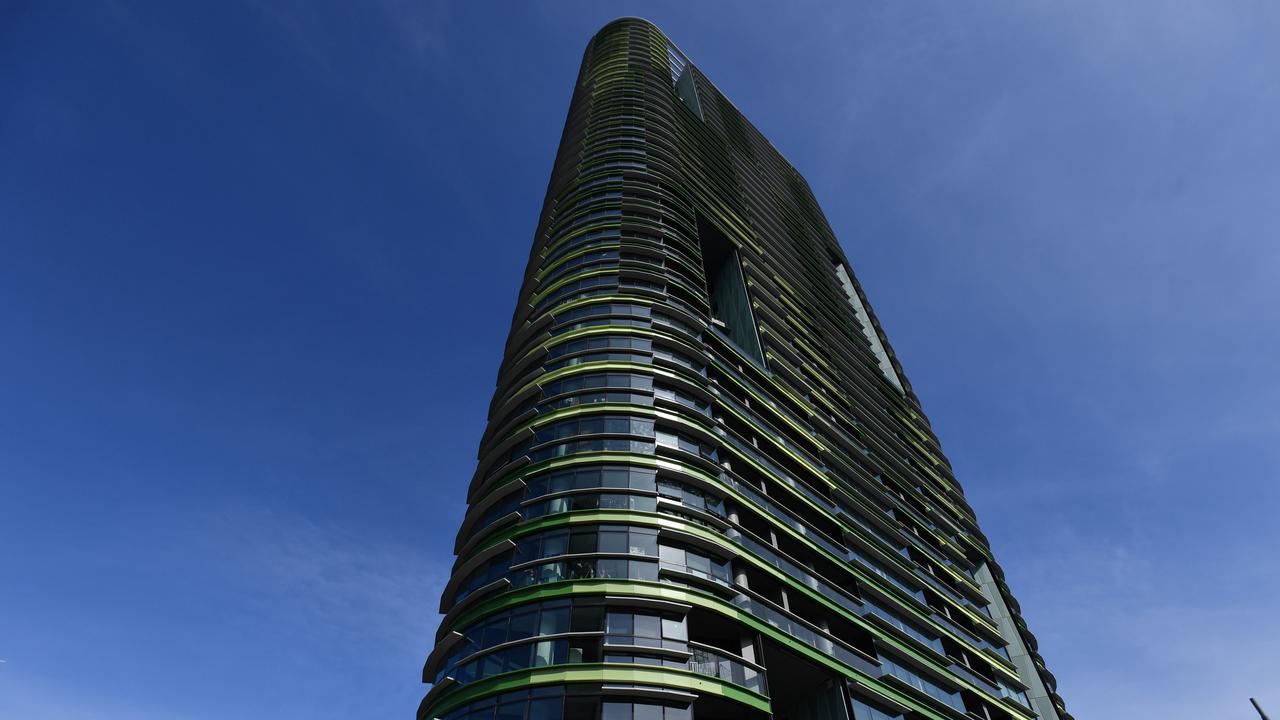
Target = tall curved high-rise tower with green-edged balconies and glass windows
(706,490)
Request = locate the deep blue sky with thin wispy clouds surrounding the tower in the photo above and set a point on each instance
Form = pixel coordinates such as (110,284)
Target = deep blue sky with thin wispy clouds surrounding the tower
(258,263)
